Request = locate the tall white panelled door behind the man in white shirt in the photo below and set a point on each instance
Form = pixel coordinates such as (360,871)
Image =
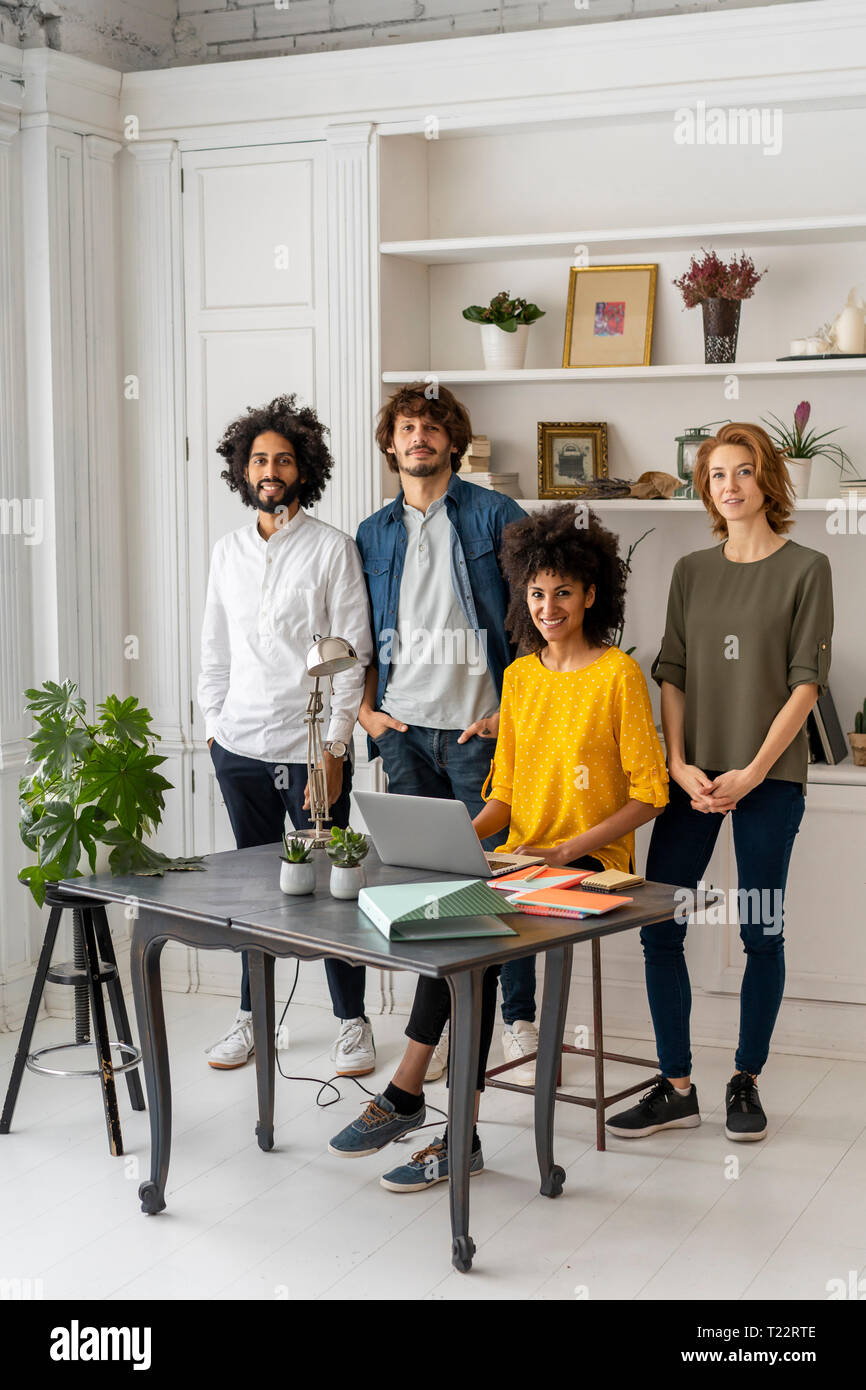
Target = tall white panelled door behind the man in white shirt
(256,318)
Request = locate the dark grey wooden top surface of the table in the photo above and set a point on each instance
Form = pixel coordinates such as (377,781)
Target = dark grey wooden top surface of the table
(241,888)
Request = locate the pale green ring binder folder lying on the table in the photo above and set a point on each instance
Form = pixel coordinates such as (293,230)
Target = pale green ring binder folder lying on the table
(436,911)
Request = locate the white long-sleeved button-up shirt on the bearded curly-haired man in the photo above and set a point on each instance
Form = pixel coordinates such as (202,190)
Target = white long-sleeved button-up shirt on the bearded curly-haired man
(266,600)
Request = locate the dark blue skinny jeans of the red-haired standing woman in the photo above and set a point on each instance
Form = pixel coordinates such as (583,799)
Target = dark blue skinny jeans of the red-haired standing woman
(765,825)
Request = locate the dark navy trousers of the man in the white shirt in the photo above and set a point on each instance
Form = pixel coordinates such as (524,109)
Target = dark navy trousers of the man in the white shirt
(258,803)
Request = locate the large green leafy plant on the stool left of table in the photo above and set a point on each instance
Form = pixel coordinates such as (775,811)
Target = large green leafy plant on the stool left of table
(92,785)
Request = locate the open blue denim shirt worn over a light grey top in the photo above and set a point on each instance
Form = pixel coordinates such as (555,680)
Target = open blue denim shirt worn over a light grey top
(477,518)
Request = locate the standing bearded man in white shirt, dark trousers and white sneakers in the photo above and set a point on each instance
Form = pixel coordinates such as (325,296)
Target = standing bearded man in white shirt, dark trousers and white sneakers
(275,586)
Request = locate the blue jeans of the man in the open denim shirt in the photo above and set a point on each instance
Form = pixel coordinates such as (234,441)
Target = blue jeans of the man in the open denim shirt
(430,762)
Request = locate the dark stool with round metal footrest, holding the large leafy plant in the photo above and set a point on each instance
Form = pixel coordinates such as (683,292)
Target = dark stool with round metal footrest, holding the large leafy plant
(92,967)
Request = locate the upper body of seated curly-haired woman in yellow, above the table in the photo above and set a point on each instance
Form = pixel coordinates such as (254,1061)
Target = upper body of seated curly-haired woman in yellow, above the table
(579,765)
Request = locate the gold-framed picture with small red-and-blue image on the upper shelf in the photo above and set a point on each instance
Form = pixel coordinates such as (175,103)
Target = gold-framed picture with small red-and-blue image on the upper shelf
(610,316)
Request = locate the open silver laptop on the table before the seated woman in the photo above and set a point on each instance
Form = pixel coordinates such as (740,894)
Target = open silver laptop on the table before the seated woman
(432,833)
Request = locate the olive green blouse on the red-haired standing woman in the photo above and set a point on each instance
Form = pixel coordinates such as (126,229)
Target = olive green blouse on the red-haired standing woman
(737,640)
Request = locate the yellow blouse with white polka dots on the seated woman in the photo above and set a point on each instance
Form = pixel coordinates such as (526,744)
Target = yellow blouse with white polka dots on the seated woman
(573,747)
